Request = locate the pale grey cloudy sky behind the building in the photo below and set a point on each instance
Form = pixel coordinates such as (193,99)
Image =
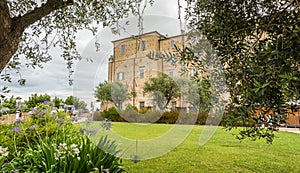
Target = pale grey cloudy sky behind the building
(53,78)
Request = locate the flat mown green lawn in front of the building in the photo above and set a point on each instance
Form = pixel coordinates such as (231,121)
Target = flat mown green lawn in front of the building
(222,153)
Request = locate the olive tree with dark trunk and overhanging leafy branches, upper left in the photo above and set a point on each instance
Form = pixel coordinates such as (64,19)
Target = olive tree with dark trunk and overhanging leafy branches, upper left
(29,28)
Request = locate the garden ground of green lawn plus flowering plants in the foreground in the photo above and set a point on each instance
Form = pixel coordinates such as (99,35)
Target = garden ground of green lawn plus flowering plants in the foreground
(47,142)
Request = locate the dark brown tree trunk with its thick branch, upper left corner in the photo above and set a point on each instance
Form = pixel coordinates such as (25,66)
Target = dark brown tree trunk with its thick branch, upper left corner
(12,28)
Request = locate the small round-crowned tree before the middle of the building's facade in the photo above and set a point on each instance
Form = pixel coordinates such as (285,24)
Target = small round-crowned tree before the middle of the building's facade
(163,89)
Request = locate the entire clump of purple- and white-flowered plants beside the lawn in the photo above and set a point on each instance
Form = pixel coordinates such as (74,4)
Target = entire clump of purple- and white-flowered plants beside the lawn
(48,143)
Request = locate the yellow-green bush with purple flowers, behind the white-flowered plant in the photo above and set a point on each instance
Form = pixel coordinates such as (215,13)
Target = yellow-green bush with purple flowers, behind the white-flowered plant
(16,136)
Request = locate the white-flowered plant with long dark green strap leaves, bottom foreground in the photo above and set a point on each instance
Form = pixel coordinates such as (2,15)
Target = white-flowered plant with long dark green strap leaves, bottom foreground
(68,156)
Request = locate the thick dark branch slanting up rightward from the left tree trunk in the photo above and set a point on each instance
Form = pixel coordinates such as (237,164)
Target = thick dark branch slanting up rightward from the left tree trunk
(22,22)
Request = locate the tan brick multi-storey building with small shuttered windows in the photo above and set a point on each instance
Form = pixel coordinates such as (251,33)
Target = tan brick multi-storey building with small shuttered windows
(130,65)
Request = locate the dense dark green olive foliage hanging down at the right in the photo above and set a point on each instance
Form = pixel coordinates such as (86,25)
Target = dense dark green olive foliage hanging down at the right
(258,44)
